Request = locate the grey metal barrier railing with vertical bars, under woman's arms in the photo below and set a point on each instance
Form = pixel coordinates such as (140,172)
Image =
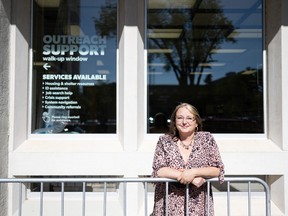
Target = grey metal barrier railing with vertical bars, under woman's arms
(125,181)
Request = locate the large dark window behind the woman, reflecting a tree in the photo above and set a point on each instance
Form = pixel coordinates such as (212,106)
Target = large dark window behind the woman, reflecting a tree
(207,53)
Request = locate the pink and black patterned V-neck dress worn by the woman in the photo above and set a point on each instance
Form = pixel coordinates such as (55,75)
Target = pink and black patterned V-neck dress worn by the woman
(204,153)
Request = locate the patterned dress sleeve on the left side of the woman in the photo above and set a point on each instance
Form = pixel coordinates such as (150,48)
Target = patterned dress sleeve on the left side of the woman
(159,157)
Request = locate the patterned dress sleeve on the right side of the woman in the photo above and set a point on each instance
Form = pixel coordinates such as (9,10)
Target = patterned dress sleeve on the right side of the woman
(215,157)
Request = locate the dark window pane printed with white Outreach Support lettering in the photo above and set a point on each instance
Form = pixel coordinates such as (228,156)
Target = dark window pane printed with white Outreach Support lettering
(74,66)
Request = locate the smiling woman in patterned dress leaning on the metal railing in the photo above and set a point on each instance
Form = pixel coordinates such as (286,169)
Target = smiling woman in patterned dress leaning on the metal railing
(189,156)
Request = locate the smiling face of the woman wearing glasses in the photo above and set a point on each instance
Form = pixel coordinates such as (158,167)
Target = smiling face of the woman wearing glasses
(185,121)
